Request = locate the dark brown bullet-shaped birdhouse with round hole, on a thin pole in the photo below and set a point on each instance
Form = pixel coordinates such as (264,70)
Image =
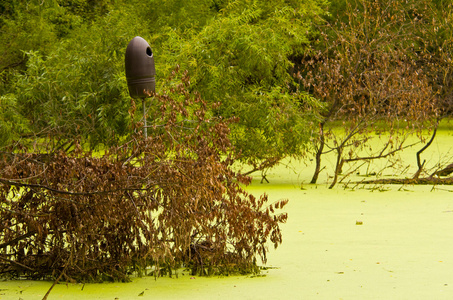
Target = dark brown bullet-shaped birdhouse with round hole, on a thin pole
(140,69)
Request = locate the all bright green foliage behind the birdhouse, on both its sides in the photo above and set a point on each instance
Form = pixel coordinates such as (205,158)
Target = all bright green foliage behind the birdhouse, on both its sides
(64,59)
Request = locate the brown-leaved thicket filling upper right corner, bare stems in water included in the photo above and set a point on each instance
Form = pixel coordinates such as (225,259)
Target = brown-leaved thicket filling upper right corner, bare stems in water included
(379,66)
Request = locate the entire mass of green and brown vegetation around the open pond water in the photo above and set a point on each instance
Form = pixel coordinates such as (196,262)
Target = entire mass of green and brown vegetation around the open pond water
(242,83)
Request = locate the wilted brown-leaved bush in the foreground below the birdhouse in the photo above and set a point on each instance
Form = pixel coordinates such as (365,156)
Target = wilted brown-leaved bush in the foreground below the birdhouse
(146,206)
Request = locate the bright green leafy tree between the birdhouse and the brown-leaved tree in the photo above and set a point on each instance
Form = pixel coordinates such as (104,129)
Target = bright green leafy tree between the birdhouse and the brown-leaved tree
(241,57)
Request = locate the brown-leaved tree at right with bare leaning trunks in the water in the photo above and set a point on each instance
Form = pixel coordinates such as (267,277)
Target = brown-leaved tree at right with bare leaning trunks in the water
(367,72)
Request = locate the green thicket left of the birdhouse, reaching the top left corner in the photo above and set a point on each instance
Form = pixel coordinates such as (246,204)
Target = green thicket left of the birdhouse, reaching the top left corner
(63,73)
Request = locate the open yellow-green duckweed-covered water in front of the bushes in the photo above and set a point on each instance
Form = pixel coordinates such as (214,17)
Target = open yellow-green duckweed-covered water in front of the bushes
(373,242)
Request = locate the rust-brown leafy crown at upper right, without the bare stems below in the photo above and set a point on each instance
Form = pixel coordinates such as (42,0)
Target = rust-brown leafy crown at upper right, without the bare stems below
(372,65)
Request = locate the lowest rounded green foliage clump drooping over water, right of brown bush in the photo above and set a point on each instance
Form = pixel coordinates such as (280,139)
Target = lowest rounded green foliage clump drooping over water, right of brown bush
(274,125)
